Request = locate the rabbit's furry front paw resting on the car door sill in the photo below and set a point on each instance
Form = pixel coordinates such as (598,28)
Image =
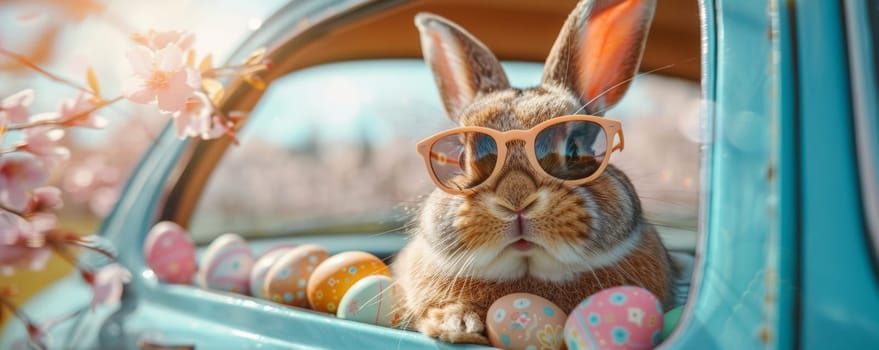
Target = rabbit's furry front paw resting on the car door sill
(453,323)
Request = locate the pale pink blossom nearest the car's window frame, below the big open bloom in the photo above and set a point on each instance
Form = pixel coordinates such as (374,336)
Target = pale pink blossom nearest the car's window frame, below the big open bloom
(197,119)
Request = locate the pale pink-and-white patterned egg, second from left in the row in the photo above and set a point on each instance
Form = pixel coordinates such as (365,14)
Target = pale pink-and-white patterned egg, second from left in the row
(225,265)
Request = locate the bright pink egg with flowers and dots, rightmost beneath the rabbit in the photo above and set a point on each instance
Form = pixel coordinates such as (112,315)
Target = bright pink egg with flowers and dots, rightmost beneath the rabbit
(616,318)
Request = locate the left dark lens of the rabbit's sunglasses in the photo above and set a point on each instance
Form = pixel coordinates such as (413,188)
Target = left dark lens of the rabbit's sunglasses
(463,160)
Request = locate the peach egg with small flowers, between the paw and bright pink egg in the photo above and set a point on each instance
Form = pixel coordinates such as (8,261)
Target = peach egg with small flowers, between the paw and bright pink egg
(525,321)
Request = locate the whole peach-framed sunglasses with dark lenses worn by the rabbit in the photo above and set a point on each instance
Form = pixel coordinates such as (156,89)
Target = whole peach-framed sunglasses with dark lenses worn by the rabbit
(573,149)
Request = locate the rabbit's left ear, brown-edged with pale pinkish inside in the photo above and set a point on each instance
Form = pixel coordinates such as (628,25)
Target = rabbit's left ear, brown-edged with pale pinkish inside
(462,66)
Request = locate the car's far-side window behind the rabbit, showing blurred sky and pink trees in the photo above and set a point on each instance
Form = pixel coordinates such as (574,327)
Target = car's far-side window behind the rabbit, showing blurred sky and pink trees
(334,146)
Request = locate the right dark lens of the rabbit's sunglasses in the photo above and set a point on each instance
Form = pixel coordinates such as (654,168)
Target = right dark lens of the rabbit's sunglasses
(571,150)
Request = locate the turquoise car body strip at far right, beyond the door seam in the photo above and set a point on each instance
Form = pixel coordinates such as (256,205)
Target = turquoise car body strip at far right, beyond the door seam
(840,298)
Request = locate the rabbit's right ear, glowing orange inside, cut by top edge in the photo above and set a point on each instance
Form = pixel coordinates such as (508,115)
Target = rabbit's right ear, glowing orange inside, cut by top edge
(599,49)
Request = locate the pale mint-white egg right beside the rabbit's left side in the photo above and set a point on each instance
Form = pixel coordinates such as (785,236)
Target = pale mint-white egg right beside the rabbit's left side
(371,300)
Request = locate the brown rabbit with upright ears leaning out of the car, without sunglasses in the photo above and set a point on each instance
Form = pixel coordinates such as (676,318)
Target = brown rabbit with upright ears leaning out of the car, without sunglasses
(466,250)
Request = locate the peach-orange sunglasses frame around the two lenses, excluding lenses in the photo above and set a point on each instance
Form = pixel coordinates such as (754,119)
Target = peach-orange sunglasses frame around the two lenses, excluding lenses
(611,128)
